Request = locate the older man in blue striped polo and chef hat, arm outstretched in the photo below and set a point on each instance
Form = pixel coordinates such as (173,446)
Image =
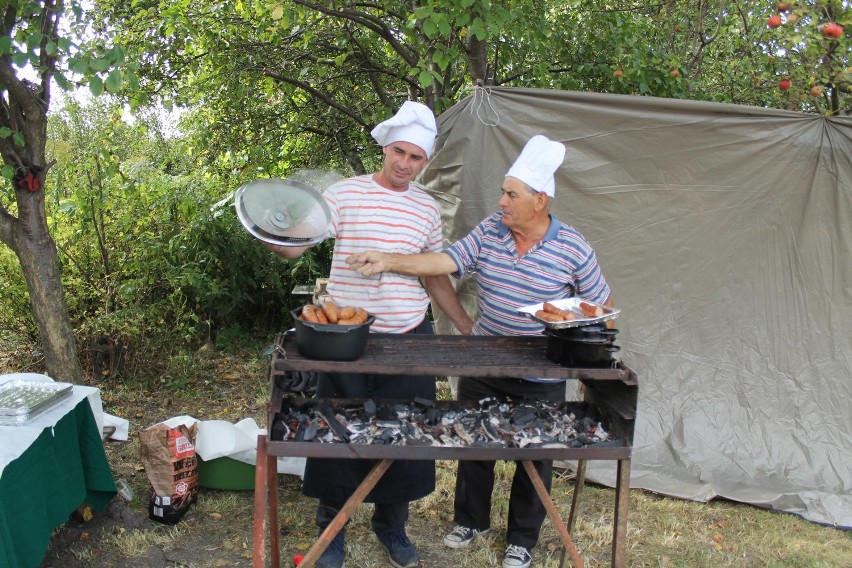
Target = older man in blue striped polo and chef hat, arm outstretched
(521,255)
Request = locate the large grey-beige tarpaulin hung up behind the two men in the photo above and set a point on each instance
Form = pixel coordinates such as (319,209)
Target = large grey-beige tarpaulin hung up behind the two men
(725,232)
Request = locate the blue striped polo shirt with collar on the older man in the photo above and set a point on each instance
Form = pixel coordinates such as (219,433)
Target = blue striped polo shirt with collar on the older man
(562,265)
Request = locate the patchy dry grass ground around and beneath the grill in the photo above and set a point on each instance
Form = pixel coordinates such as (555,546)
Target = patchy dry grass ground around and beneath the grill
(662,532)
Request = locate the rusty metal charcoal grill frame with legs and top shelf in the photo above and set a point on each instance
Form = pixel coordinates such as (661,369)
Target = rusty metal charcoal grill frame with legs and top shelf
(612,391)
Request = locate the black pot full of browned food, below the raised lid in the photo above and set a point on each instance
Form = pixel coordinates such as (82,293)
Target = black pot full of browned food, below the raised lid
(332,342)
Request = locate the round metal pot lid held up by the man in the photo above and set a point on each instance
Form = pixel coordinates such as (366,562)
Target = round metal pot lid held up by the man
(283,212)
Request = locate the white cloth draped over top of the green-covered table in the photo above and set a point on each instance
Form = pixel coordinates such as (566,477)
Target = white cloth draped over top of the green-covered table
(14,440)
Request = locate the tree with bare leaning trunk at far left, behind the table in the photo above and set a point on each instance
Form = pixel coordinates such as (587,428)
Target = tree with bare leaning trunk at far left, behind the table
(32,47)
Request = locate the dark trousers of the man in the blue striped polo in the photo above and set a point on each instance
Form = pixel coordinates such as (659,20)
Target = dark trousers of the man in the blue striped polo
(475,479)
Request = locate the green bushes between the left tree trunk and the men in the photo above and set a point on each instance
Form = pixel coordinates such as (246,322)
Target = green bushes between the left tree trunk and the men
(151,248)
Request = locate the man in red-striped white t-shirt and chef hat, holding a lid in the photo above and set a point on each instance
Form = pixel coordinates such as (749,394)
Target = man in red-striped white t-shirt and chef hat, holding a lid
(384,211)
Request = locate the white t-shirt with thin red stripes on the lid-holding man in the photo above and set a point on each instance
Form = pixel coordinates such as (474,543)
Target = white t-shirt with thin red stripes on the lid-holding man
(366,216)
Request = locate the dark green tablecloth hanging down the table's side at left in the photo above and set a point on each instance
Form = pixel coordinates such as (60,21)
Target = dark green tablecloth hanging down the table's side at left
(64,468)
